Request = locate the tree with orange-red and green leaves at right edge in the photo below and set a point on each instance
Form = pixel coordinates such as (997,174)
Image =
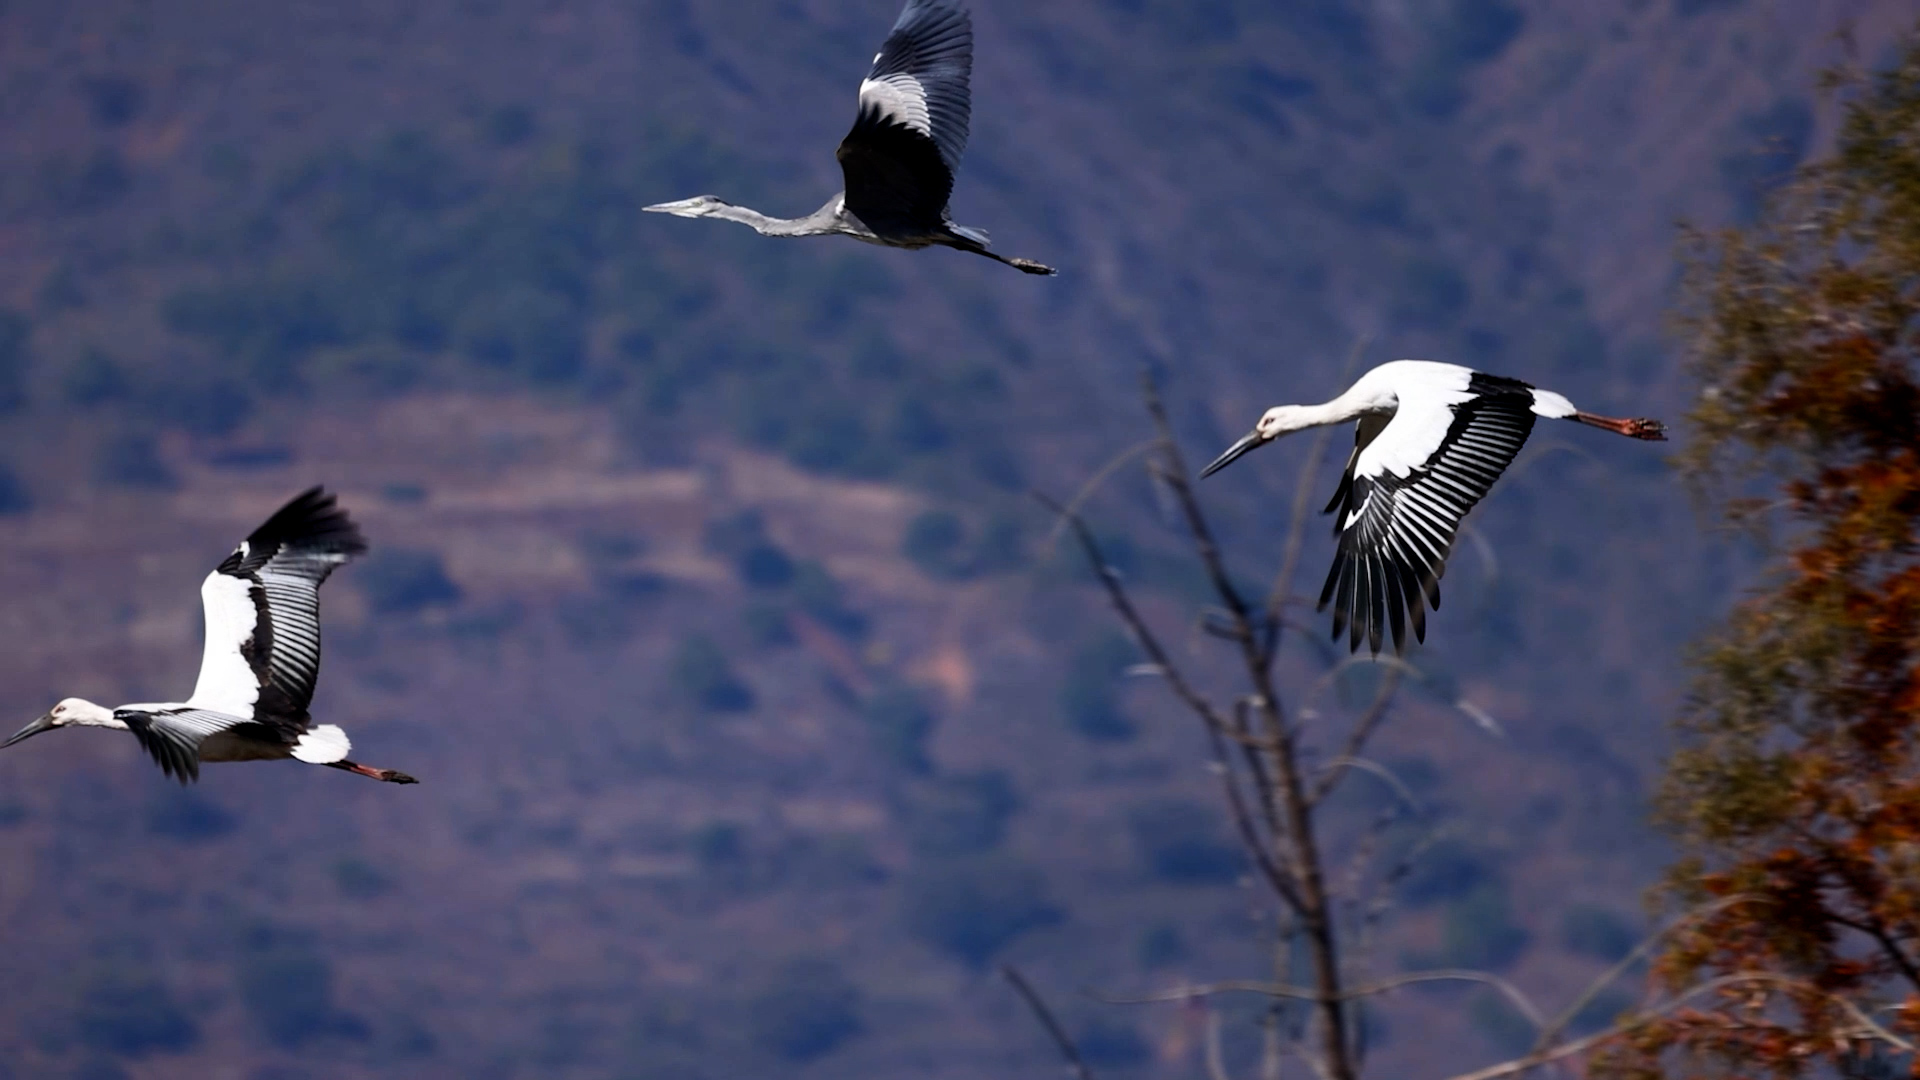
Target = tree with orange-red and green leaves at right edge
(1796,795)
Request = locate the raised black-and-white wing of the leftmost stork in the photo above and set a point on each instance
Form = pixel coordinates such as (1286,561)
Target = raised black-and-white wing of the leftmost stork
(264,612)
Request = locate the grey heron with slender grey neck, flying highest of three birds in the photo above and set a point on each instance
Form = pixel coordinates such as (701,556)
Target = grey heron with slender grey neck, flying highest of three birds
(905,147)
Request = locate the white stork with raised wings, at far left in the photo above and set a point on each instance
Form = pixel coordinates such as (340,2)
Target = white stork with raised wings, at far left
(260,664)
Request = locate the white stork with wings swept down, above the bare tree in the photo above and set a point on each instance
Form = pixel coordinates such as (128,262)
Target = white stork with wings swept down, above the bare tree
(1429,445)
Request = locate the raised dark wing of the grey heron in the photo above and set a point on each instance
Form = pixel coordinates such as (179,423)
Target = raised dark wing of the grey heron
(915,107)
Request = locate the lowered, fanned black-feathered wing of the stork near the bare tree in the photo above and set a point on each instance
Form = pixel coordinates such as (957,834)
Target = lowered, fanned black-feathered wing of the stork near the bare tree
(1397,531)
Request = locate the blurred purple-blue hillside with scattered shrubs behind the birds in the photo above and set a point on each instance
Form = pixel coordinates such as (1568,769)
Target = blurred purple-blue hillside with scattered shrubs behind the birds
(756,714)
